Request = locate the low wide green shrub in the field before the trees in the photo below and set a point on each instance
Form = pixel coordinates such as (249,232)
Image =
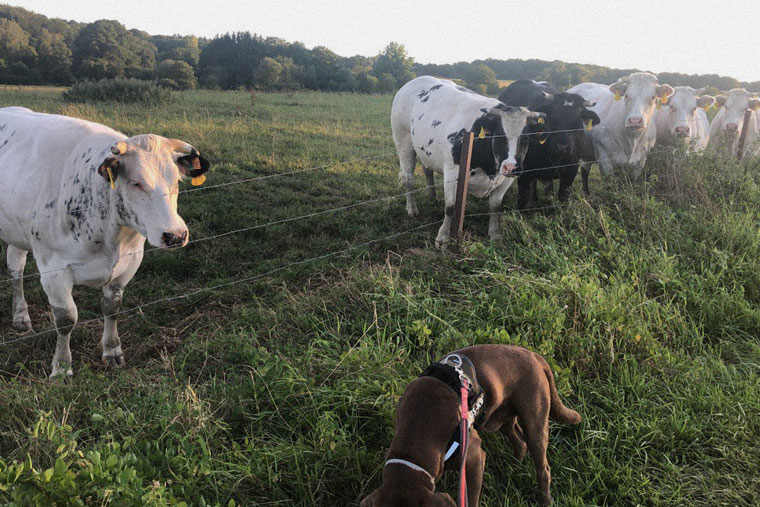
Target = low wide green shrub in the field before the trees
(127,91)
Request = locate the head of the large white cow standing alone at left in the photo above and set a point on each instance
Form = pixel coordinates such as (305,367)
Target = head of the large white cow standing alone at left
(144,173)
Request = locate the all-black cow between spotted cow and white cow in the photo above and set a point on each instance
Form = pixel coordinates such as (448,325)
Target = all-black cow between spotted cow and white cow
(558,155)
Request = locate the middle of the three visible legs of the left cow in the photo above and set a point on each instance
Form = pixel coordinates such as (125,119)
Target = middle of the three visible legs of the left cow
(58,289)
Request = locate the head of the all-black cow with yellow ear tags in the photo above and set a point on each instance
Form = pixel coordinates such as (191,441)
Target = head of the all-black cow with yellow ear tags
(566,118)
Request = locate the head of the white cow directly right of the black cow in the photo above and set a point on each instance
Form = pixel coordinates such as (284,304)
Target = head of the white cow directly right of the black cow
(640,91)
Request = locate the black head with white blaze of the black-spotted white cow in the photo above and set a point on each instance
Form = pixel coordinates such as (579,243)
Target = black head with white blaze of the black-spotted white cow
(507,123)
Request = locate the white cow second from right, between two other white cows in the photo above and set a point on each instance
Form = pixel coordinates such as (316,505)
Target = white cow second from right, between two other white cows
(684,117)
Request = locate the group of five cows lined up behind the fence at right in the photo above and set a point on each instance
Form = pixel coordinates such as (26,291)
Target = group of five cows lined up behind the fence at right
(534,132)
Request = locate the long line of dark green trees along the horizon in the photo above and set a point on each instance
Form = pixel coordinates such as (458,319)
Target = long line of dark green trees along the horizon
(35,49)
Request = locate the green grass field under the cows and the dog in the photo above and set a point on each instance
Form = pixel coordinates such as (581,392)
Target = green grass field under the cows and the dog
(644,298)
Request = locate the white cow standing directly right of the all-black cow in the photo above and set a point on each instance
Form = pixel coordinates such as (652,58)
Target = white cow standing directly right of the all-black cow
(626,133)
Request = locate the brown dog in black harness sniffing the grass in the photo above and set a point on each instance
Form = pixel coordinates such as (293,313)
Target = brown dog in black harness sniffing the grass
(518,385)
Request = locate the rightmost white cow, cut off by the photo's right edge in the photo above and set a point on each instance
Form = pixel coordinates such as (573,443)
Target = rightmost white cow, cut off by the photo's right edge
(726,127)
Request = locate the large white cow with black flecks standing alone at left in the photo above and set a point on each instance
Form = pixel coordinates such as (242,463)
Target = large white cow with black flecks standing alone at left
(83,198)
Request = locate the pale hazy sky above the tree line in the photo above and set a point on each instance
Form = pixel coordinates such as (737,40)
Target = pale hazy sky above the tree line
(692,37)
